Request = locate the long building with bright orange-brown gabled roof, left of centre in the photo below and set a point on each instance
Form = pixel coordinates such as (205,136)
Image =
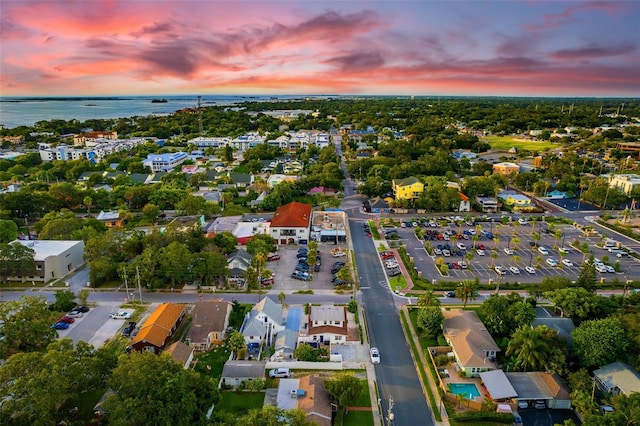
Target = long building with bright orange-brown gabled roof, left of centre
(158,328)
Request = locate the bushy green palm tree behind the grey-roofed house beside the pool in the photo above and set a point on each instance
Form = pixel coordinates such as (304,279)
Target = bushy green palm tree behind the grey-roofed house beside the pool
(530,348)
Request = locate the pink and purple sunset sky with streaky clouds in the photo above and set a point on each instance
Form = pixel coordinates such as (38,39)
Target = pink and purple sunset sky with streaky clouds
(508,47)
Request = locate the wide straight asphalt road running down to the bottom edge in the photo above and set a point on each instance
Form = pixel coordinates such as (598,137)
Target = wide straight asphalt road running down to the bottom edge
(396,374)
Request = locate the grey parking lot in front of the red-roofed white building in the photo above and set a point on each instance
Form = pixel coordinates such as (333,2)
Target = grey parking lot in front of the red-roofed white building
(319,280)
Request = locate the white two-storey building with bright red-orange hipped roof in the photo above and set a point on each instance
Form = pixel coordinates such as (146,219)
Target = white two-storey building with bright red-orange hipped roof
(291,223)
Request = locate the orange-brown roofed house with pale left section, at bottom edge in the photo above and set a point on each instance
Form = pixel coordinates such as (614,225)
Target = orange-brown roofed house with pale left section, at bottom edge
(307,394)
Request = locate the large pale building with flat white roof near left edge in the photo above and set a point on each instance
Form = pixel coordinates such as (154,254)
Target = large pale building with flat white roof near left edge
(54,259)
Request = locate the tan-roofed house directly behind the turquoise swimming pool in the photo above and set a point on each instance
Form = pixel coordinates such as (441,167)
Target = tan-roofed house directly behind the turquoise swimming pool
(474,349)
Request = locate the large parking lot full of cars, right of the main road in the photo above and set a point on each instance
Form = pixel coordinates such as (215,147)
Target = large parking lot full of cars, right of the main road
(509,248)
